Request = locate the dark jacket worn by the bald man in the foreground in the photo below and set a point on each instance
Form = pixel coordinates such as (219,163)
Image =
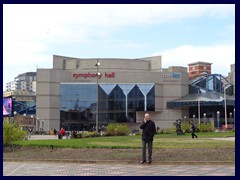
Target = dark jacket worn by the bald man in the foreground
(149,130)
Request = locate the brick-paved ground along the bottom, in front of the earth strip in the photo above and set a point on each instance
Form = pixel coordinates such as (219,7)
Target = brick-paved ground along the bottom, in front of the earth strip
(102,169)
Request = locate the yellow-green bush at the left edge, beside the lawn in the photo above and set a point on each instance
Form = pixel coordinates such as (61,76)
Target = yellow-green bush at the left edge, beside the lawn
(12,133)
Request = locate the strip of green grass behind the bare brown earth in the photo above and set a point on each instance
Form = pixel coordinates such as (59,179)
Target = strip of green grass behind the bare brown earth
(161,141)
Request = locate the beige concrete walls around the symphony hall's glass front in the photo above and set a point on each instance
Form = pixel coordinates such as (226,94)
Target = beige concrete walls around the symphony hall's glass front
(170,84)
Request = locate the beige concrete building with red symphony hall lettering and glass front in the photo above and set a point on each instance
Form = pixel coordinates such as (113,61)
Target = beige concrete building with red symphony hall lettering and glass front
(125,89)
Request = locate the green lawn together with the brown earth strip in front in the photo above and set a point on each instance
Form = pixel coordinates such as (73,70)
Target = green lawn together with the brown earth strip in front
(166,148)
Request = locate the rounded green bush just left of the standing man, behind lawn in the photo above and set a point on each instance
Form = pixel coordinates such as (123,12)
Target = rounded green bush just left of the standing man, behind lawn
(117,130)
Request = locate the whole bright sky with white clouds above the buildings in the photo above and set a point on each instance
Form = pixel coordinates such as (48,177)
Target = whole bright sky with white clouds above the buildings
(181,34)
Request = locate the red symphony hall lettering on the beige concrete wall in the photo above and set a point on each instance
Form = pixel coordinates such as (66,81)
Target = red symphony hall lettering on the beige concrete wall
(93,75)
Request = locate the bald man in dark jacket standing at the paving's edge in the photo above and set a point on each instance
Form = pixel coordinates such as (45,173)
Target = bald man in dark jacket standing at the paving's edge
(149,130)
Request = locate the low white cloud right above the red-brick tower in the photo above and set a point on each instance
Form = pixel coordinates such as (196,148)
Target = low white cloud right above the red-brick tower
(219,55)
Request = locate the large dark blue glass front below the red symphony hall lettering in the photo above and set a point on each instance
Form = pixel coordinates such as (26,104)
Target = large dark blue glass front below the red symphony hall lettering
(117,103)
